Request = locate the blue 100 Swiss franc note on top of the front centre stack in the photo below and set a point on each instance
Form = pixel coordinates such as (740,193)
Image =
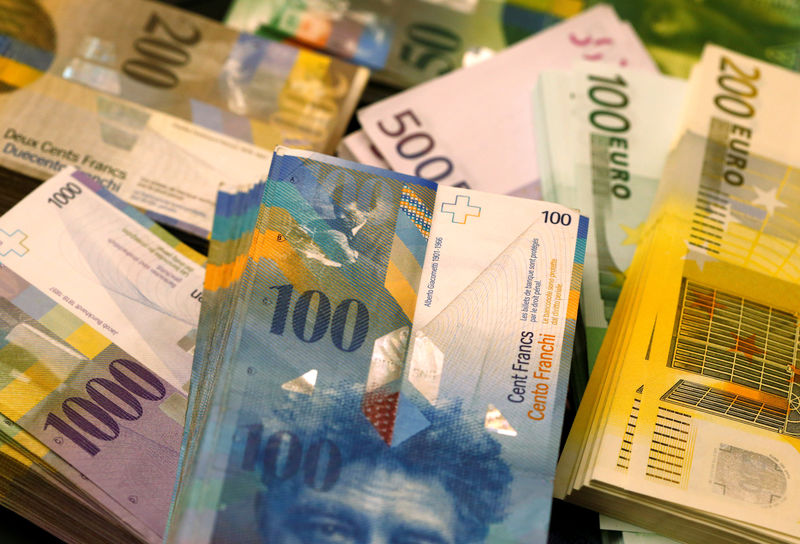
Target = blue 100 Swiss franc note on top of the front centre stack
(351,396)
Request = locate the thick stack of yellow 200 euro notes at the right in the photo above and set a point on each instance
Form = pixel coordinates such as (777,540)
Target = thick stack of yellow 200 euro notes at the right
(690,421)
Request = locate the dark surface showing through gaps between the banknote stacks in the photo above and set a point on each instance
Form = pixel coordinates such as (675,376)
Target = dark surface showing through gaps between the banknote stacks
(569,523)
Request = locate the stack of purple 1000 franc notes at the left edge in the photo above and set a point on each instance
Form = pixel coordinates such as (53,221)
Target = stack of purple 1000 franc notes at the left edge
(98,320)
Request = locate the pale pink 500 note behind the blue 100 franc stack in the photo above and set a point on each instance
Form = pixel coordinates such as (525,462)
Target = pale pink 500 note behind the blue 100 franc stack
(472,127)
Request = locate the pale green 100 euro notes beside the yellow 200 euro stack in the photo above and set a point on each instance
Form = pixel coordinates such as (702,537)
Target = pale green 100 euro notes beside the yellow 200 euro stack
(613,131)
